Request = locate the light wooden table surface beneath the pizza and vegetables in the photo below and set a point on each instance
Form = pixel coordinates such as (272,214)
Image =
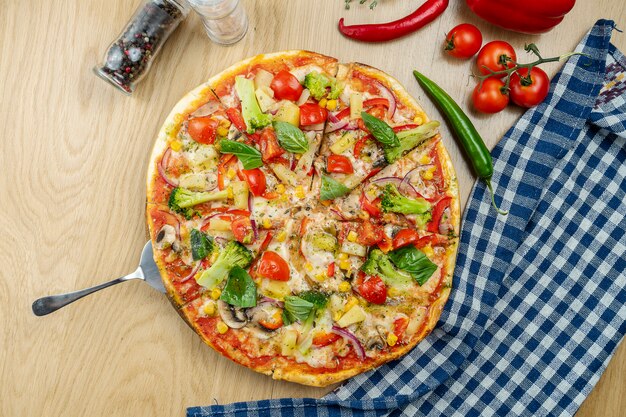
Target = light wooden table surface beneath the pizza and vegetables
(72,167)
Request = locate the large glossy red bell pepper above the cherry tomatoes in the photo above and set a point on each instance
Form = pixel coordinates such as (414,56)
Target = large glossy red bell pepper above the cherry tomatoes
(526,16)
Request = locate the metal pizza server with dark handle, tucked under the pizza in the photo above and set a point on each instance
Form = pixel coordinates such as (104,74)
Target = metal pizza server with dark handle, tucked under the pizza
(147,271)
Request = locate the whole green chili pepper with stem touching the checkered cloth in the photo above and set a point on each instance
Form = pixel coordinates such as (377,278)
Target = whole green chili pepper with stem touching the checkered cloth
(464,131)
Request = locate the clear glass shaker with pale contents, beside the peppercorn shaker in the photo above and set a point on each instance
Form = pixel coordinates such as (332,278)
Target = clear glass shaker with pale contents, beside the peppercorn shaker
(225,21)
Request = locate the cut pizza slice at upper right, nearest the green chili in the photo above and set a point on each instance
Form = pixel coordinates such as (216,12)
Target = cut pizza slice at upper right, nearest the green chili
(375,124)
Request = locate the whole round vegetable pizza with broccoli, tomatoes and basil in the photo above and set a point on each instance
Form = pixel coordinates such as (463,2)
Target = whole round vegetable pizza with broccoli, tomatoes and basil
(304,216)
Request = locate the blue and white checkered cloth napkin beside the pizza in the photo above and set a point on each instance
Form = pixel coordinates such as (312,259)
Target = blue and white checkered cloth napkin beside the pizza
(539,299)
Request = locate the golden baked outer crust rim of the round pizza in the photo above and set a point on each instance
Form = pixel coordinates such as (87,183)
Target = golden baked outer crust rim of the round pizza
(282,368)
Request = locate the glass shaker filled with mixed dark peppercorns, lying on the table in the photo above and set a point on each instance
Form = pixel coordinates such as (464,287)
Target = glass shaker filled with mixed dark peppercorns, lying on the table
(130,56)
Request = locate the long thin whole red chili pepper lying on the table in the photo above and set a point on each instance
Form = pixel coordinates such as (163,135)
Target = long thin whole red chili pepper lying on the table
(381,32)
